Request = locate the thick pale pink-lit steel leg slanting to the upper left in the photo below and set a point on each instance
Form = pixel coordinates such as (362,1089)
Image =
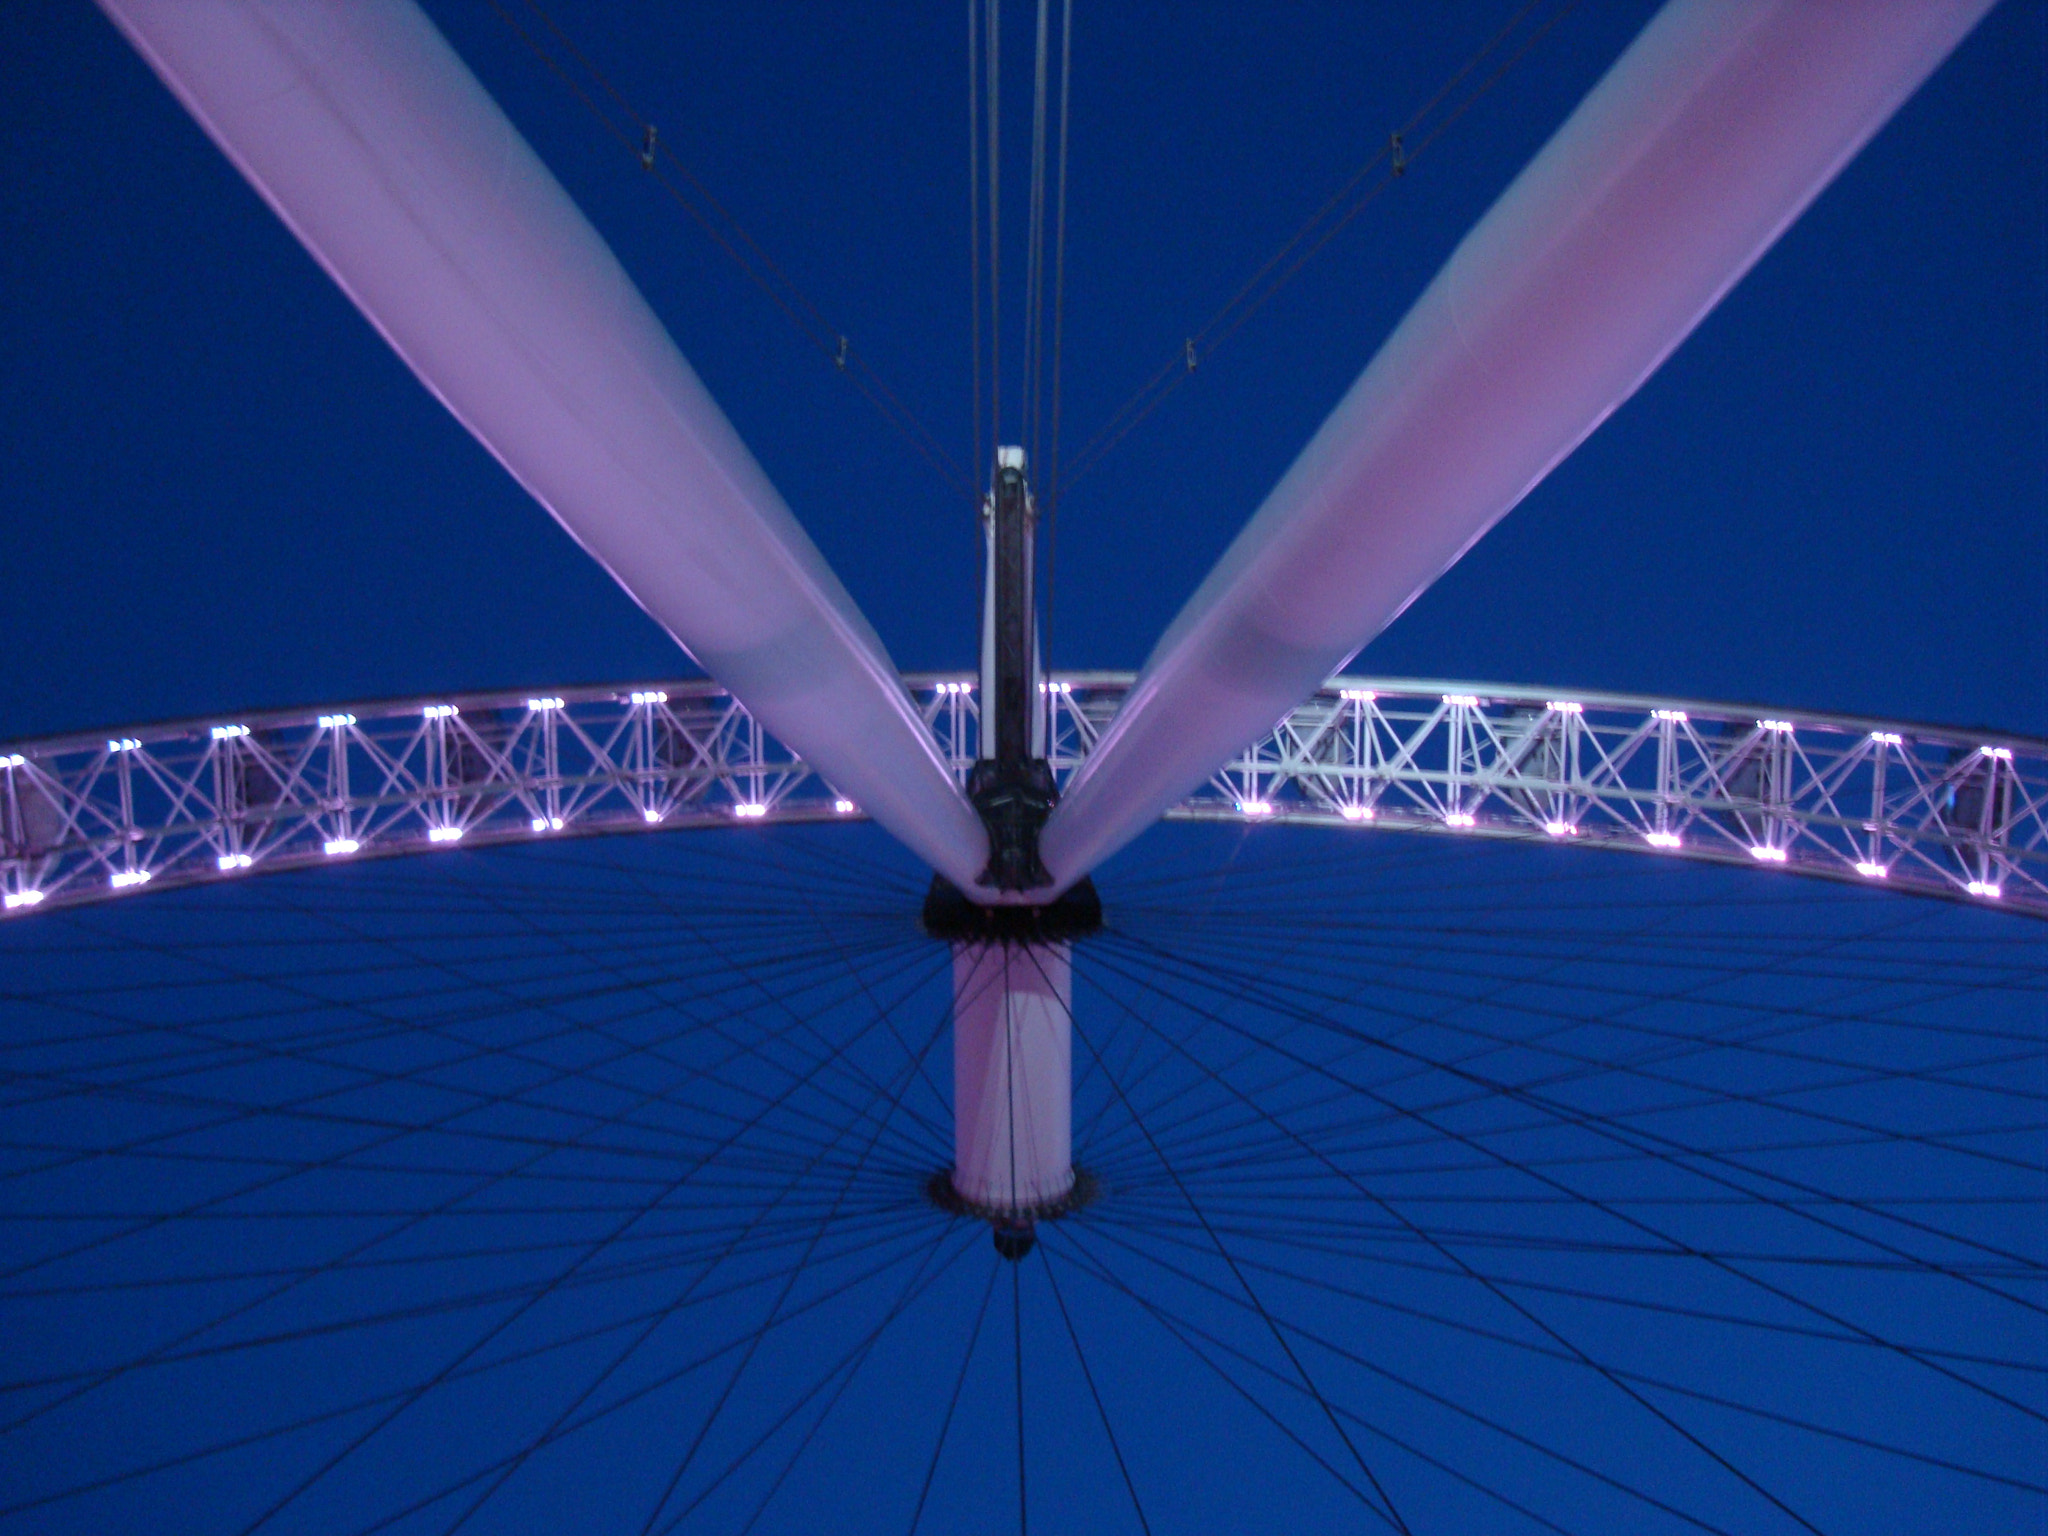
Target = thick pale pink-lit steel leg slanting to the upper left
(392,165)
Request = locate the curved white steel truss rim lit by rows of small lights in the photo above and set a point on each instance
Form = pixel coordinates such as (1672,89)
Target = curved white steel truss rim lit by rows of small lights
(1914,808)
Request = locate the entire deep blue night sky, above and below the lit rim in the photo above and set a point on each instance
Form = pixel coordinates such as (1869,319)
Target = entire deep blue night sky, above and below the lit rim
(226,495)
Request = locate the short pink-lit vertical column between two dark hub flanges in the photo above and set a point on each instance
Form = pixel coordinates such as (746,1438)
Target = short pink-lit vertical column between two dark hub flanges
(1013,1076)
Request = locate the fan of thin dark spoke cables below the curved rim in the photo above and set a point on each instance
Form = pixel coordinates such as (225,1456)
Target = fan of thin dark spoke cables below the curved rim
(1433,1189)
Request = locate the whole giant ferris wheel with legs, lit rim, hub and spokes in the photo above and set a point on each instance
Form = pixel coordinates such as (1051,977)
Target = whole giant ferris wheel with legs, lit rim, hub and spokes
(628,1187)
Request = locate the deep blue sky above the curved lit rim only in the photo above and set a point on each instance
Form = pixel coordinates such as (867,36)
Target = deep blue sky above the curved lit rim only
(224,493)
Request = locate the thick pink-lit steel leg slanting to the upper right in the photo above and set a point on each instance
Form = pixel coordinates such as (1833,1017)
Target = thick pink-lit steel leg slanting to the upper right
(1711,134)
